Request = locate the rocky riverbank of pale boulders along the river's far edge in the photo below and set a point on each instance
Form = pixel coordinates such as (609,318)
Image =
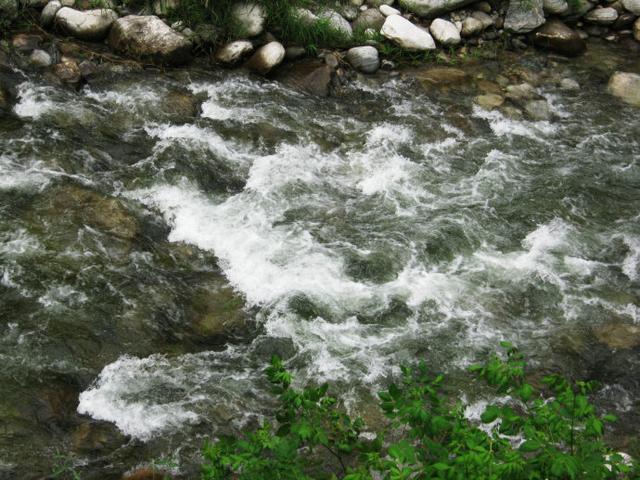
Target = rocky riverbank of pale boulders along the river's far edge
(373,35)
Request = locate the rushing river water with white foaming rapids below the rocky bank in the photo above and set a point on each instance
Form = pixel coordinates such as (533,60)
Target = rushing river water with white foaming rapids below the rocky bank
(151,263)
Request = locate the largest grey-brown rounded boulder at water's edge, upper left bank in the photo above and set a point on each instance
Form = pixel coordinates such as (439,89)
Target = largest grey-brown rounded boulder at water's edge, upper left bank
(149,38)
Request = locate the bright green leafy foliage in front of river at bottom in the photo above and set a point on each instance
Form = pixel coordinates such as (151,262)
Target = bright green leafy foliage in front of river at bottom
(524,436)
